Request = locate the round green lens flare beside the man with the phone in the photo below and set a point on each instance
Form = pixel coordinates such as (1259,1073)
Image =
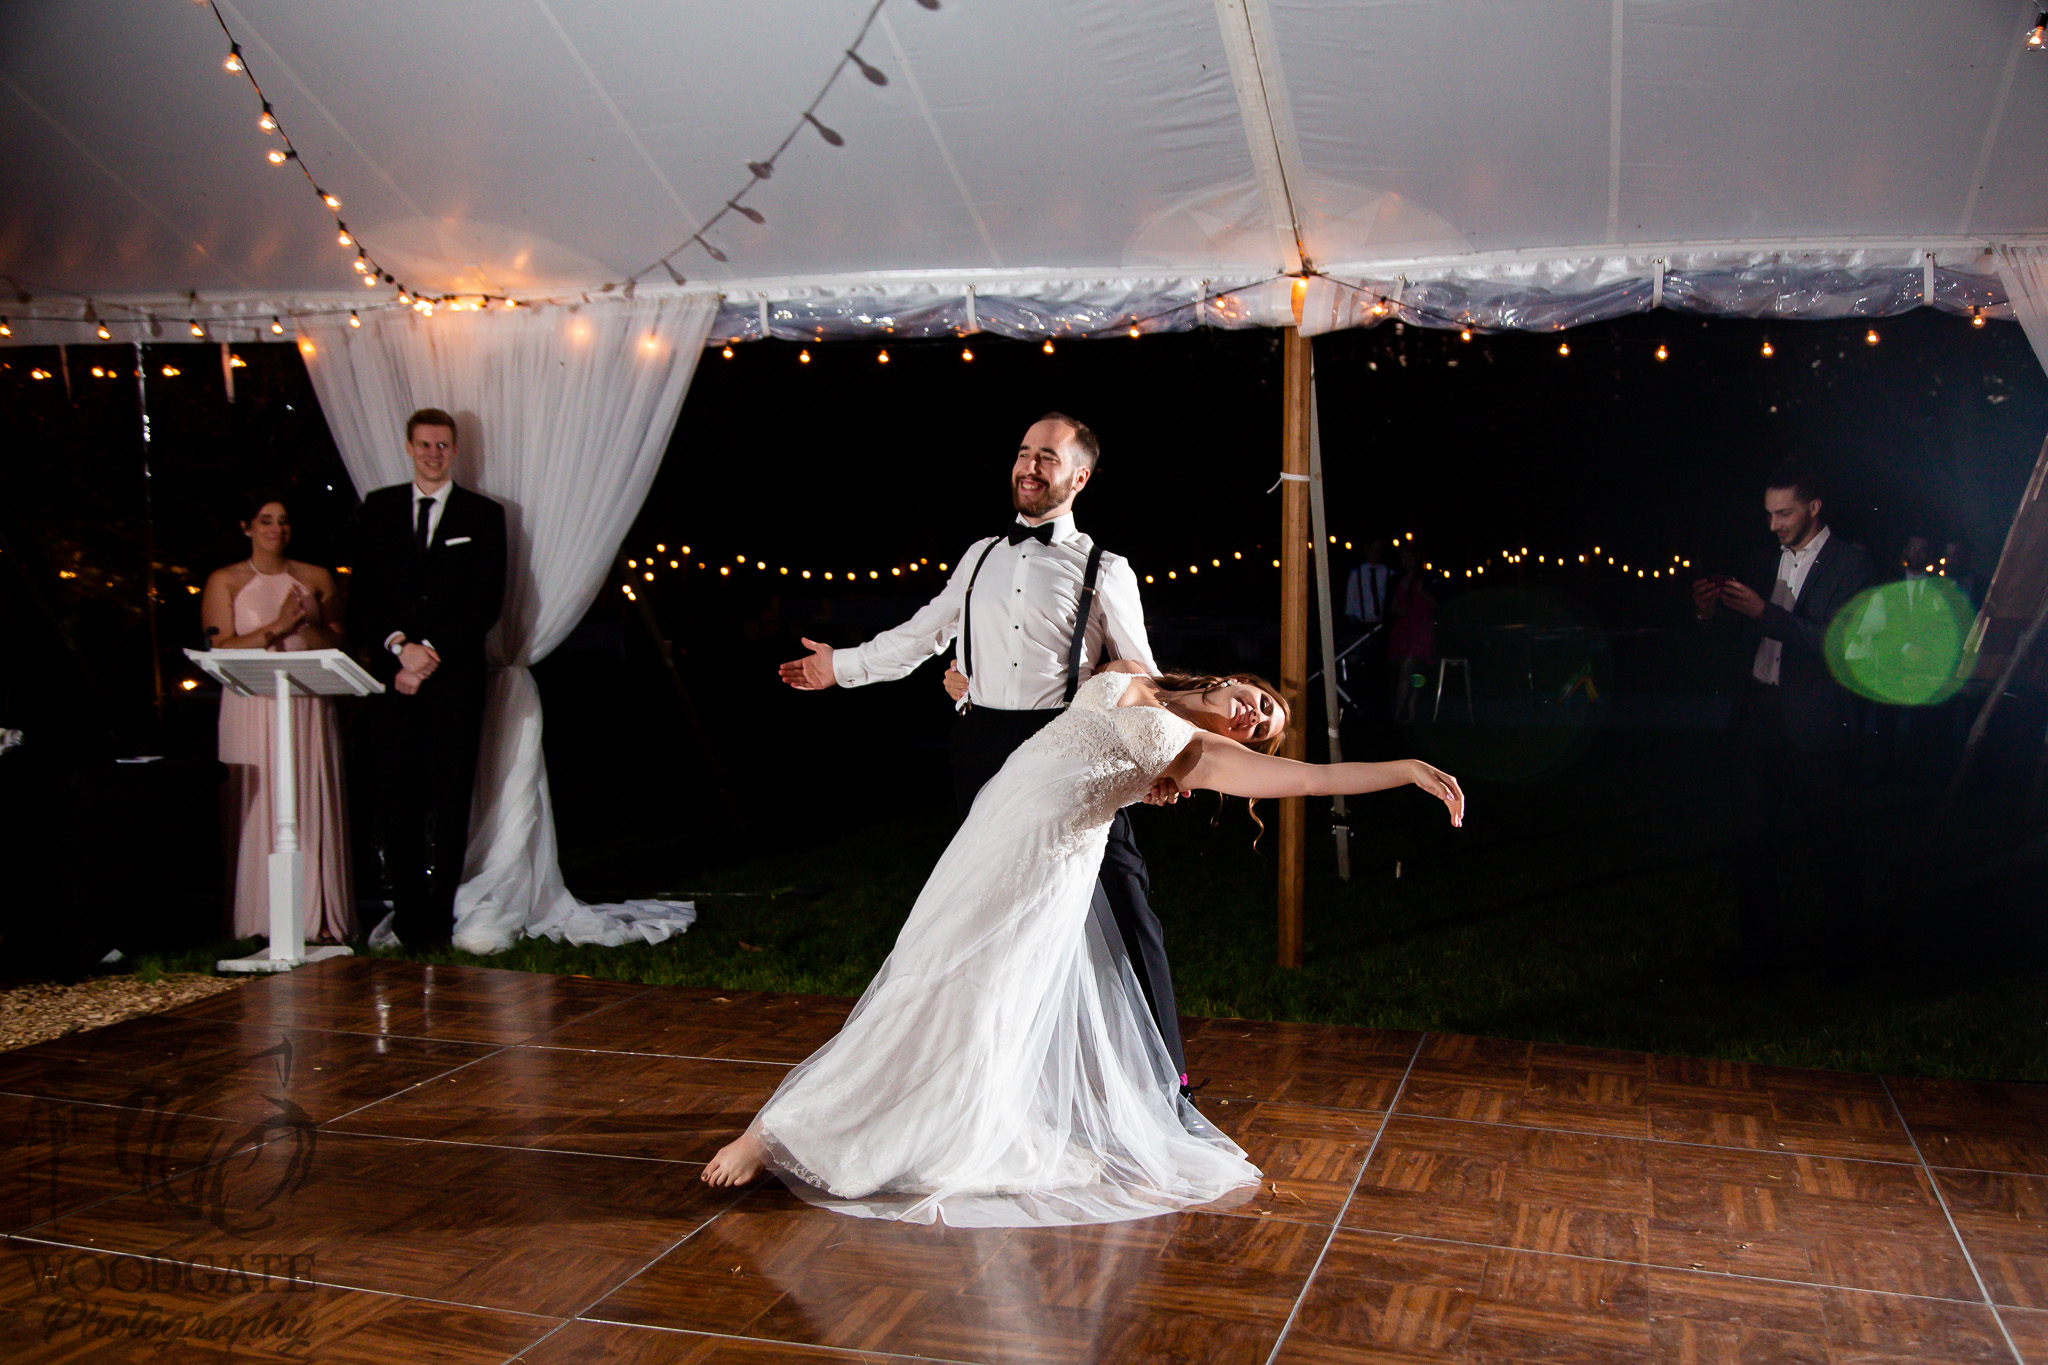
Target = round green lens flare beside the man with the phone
(1902,644)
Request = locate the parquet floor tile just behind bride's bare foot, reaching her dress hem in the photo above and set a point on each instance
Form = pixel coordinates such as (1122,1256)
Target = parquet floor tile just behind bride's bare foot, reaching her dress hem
(583,1102)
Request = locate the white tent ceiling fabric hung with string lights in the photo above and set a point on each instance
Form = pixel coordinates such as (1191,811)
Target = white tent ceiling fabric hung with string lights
(1074,163)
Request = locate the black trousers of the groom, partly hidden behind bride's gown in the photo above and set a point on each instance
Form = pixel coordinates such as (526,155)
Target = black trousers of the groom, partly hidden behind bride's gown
(982,744)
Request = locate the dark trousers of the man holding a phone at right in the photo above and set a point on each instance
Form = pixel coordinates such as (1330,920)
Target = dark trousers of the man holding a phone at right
(1770,773)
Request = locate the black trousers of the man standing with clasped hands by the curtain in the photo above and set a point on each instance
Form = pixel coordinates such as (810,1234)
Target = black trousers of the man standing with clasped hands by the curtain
(427,770)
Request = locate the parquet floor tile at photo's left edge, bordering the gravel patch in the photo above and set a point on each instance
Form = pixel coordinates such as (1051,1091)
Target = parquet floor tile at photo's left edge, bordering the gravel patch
(228,1071)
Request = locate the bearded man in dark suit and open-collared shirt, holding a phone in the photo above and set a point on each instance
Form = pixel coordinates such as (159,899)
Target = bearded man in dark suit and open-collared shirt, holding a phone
(1793,723)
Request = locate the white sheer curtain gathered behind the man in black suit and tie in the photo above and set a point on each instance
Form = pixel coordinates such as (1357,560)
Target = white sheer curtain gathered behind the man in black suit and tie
(564,416)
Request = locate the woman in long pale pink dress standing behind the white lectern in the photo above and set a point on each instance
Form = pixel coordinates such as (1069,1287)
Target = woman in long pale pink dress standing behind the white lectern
(278,603)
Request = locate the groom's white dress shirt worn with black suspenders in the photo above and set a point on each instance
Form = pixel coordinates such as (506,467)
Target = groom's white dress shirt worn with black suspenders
(1023,619)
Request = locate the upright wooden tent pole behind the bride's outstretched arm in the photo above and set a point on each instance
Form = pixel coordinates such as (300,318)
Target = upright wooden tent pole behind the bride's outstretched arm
(1297,400)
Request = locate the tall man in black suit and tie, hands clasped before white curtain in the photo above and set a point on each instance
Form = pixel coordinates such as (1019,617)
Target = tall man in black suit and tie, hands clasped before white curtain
(427,588)
